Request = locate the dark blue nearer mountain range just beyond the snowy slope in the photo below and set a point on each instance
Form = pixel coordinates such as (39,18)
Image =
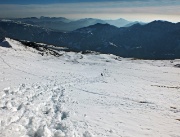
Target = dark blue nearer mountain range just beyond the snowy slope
(155,40)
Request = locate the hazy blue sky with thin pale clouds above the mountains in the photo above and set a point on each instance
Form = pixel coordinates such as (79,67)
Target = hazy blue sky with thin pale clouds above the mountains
(133,10)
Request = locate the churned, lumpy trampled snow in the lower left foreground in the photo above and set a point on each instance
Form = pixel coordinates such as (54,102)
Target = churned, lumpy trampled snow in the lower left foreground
(35,111)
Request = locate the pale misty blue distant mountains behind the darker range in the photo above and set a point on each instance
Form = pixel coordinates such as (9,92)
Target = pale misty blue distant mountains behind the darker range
(65,25)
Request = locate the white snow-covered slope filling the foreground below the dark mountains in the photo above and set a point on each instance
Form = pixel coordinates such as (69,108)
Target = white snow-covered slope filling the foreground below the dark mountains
(77,95)
